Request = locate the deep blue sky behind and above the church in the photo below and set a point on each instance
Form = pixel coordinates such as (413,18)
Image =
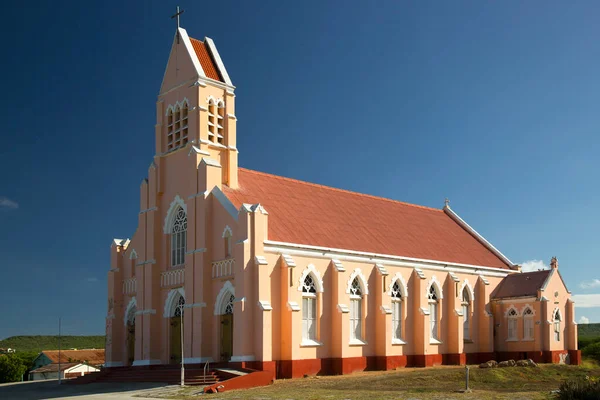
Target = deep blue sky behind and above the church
(493,105)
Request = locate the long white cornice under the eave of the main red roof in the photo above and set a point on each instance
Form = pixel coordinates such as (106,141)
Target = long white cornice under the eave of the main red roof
(272,246)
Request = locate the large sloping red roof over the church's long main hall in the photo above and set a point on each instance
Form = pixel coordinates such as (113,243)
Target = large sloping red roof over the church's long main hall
(311,214)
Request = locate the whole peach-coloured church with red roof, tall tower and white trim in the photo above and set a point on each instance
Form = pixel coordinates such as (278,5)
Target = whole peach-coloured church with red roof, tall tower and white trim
(265,272)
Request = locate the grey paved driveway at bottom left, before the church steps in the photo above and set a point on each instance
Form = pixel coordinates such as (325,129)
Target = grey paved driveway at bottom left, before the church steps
(51,390)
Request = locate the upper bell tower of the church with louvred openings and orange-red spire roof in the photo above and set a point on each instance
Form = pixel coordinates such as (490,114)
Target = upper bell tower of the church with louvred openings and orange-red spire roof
(196,104)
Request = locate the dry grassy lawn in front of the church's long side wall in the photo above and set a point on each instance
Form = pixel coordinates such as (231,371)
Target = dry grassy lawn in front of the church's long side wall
(418,383)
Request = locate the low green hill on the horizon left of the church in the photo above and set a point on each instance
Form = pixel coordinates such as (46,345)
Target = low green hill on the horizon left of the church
(39,343)
